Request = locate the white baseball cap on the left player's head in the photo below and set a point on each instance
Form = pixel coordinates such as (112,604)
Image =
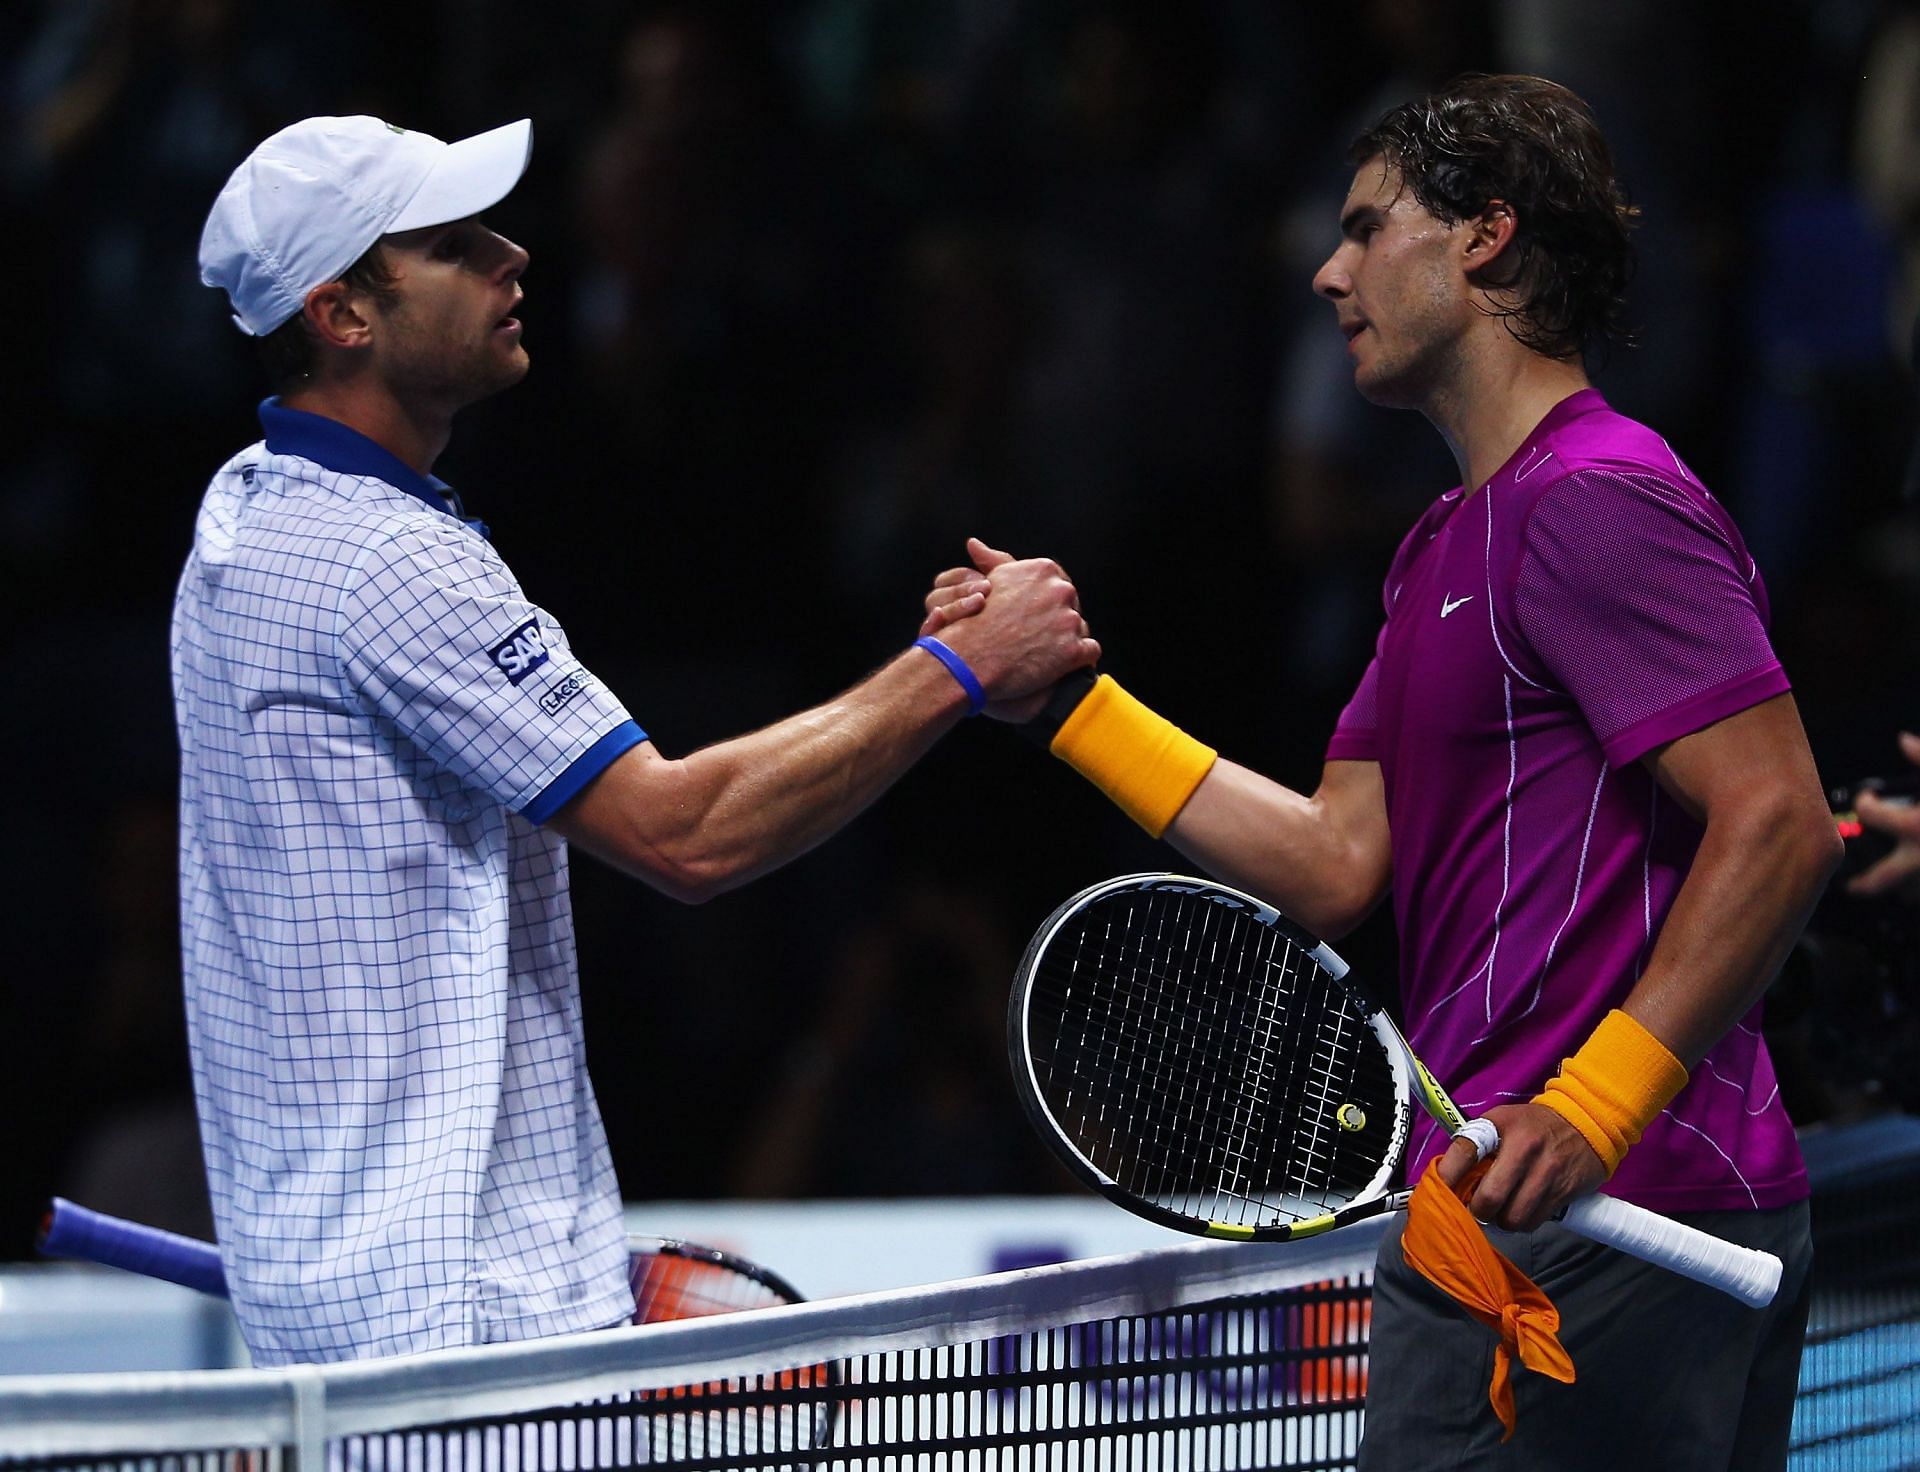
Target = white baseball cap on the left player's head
(318,195)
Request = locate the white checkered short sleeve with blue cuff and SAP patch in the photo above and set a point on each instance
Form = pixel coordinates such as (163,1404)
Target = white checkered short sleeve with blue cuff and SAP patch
(439,640)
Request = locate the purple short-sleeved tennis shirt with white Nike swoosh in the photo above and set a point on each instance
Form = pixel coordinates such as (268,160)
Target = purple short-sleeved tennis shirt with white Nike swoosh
(1591,604)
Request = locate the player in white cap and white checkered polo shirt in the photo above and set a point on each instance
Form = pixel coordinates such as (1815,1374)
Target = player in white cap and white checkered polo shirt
(387,749)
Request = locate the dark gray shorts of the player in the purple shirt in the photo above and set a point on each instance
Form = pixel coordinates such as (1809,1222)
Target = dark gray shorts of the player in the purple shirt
(1668,1373)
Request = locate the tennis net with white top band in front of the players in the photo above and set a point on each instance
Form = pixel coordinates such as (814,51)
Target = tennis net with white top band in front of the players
(1199,1356)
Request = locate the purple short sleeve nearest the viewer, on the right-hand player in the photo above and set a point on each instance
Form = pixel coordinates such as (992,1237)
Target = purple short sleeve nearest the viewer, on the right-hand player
(1643,604)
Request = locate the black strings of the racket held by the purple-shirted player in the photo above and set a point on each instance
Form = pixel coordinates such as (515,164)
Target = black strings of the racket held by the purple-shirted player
(1212,1066)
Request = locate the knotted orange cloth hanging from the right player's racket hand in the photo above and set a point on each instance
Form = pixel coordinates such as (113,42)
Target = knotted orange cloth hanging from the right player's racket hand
(1447,1246)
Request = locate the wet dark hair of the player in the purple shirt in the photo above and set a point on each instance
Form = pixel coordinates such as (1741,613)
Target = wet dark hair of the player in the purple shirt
(1535,147)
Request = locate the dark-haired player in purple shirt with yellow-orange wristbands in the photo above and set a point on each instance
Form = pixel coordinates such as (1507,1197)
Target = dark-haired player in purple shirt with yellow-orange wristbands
(1575,765)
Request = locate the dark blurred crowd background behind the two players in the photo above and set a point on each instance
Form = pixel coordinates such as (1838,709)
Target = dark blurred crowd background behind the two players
(817,291)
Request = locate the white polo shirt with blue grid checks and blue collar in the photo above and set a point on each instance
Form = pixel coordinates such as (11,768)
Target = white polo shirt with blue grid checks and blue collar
(383,1003)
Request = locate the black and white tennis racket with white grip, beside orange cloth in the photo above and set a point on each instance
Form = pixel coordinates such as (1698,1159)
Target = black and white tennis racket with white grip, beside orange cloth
(1207,1064)
